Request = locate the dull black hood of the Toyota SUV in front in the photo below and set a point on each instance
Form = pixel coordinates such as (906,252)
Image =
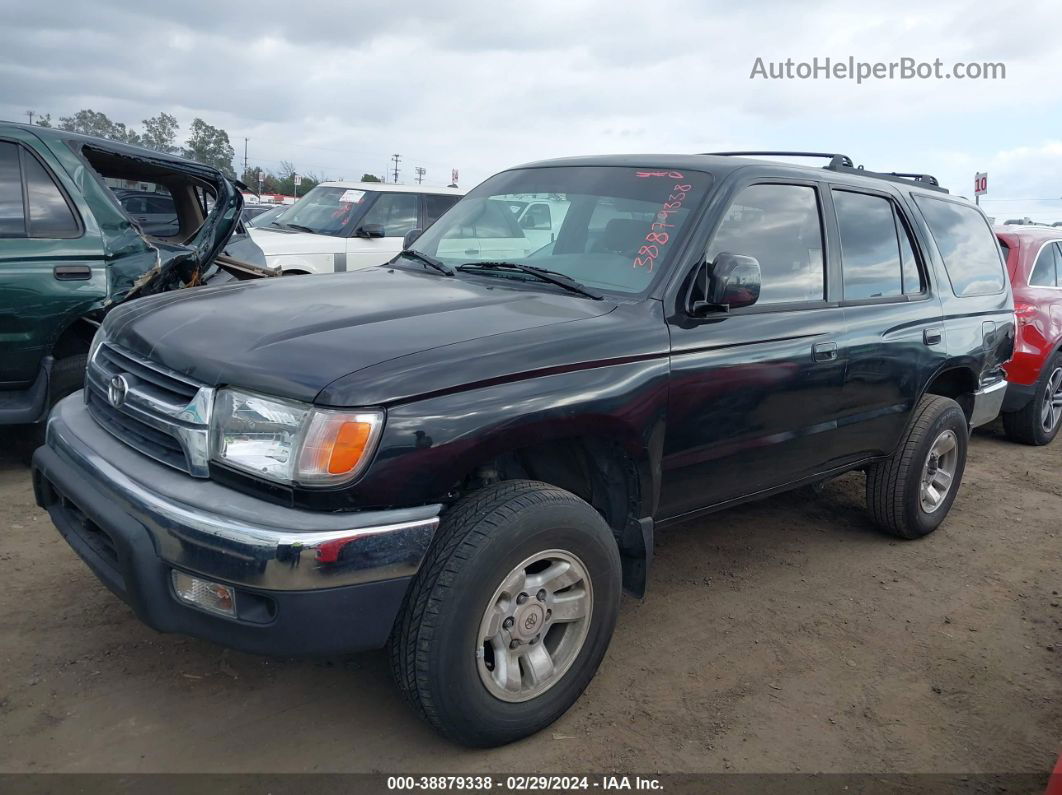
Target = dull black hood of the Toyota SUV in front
(293,337)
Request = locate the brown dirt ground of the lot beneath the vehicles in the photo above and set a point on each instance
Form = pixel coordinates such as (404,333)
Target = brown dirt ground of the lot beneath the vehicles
(783,636)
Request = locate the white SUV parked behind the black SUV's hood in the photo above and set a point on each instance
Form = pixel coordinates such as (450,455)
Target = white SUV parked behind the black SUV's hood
(344,227)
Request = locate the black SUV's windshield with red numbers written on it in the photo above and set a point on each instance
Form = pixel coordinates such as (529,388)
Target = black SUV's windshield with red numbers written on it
(608,228)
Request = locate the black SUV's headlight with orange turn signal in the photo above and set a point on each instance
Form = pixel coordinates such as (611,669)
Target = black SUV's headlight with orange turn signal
(292,442)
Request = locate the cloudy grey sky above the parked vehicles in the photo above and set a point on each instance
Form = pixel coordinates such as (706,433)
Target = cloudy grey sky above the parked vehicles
(336,88)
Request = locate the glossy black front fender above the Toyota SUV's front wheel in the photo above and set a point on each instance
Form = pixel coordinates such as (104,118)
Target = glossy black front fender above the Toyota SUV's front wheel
(430,446)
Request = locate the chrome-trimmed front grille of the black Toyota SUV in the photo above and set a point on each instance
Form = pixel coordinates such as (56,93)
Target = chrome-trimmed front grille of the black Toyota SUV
(162,414)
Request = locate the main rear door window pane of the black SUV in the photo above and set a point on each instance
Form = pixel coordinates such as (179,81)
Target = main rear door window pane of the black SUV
(870,249)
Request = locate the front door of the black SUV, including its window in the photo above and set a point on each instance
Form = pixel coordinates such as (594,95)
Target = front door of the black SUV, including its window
(755,392)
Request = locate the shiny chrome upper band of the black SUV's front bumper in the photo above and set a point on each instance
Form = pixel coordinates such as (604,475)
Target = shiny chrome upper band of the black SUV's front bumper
(227,535)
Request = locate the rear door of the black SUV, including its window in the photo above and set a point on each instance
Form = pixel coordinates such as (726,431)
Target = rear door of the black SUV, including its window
(895,337)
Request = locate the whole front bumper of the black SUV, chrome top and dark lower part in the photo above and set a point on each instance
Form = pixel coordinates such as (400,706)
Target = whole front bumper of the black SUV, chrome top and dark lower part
(305,583)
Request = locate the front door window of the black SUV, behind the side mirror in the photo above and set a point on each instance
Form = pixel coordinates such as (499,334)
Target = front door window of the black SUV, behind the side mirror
(782,228)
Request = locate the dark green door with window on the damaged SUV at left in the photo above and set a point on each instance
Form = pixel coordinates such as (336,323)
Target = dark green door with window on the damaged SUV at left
(50,271)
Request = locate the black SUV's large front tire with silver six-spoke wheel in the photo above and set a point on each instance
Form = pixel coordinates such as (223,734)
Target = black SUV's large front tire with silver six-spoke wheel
(437,653)
